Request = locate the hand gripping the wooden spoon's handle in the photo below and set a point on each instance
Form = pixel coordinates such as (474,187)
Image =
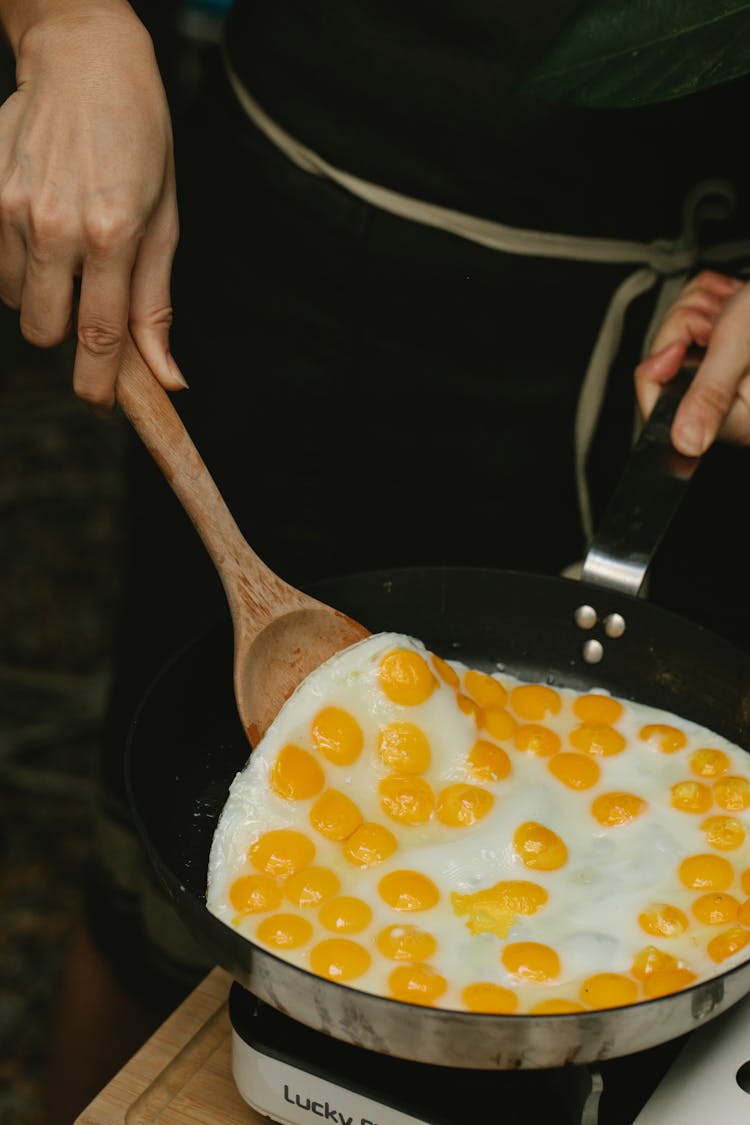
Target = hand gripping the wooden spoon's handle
(87,190)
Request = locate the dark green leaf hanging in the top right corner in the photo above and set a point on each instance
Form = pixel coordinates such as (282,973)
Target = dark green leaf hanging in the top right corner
(624,53)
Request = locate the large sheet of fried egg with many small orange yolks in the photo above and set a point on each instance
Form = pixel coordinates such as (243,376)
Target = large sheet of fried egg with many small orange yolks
(431,833)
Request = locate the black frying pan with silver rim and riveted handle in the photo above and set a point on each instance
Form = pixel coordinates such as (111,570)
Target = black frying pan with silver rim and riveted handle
(187,744)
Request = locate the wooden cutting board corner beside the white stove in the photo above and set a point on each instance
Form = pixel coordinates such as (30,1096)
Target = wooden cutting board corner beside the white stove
(184,1074)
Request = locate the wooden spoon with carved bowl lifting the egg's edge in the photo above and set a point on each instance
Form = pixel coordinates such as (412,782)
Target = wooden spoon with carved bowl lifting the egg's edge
(281,634)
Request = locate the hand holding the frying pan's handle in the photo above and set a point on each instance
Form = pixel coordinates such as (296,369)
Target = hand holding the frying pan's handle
(713,311)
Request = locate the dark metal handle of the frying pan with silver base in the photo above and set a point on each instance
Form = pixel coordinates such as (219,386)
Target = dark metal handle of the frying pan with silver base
(647,497)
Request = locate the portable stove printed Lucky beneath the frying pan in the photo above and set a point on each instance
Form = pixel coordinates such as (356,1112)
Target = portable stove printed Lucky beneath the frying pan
(296,1076)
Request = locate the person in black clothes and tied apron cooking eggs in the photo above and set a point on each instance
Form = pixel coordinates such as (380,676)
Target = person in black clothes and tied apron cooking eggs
(409,302)
